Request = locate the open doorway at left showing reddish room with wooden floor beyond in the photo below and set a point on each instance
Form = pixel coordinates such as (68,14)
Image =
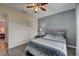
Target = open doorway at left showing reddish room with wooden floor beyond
(3,34)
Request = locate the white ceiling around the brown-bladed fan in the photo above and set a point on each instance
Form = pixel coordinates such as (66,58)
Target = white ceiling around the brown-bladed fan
(52,8)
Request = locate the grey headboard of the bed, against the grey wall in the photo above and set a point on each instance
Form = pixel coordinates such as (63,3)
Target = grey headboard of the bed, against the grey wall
(51,31)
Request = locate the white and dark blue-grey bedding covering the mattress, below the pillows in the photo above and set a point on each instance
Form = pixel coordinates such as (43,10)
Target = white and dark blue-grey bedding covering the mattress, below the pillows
(46,47)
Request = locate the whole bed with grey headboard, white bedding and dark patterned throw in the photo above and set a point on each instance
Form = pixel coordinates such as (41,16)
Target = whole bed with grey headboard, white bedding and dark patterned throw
(53,43)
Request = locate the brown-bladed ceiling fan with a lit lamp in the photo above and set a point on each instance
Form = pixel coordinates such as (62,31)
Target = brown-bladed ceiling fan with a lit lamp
(38,6)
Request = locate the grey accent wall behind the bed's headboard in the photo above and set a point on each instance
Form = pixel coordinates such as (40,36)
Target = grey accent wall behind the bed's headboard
(63,20)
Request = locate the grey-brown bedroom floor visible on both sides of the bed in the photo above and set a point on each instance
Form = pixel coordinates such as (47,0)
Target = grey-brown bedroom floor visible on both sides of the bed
(20,51)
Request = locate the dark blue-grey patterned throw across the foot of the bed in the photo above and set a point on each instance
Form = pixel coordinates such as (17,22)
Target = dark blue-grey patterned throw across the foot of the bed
(44,50)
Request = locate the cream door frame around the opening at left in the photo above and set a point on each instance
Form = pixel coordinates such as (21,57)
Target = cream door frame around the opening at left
(6,17)
